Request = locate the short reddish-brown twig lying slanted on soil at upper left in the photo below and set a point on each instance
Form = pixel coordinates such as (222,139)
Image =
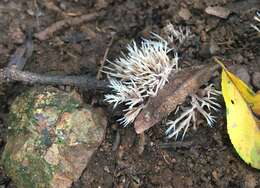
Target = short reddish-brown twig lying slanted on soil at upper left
(46,33)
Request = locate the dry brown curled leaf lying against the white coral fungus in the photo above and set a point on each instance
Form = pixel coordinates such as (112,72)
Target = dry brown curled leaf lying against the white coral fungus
(181,84)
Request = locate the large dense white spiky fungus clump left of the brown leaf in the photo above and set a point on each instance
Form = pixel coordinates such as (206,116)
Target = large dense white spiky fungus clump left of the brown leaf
(138,74)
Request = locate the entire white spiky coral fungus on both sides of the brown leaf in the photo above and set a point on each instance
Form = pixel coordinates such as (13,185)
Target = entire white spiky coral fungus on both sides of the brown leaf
(143,71)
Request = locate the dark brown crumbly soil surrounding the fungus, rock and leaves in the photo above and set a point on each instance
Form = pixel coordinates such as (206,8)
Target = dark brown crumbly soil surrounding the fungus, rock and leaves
(206,157)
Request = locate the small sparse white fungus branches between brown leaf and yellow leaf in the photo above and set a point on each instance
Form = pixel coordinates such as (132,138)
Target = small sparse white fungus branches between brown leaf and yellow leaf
(204,105)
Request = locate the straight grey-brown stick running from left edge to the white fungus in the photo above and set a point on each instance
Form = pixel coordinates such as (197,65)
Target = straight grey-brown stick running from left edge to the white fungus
(83,82)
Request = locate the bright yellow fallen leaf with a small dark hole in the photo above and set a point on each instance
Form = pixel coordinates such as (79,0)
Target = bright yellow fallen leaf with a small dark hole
(242,126)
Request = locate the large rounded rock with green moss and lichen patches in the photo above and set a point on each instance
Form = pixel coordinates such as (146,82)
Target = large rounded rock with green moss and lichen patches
(52,135)
